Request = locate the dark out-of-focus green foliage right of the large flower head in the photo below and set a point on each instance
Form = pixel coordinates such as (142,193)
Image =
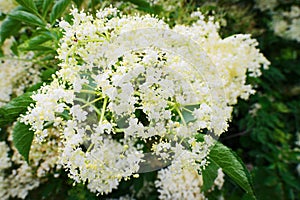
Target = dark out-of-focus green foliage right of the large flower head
(267,126)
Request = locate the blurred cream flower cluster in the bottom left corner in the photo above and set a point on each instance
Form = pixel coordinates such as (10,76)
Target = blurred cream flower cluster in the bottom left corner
(23,178)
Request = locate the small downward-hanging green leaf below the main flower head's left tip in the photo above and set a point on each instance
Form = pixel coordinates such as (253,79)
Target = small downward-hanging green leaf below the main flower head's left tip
(22,139)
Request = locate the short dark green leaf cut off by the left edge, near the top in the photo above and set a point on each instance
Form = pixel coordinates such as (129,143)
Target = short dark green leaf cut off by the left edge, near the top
(8,28)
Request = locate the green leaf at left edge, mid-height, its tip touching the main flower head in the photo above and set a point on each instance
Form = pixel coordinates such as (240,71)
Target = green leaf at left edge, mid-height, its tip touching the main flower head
(11,111)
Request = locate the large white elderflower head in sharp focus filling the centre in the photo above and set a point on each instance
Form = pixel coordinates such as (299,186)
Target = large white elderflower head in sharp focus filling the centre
(127,81)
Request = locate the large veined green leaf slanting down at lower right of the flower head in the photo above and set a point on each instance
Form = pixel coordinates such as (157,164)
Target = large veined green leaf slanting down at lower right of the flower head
(232,165)
